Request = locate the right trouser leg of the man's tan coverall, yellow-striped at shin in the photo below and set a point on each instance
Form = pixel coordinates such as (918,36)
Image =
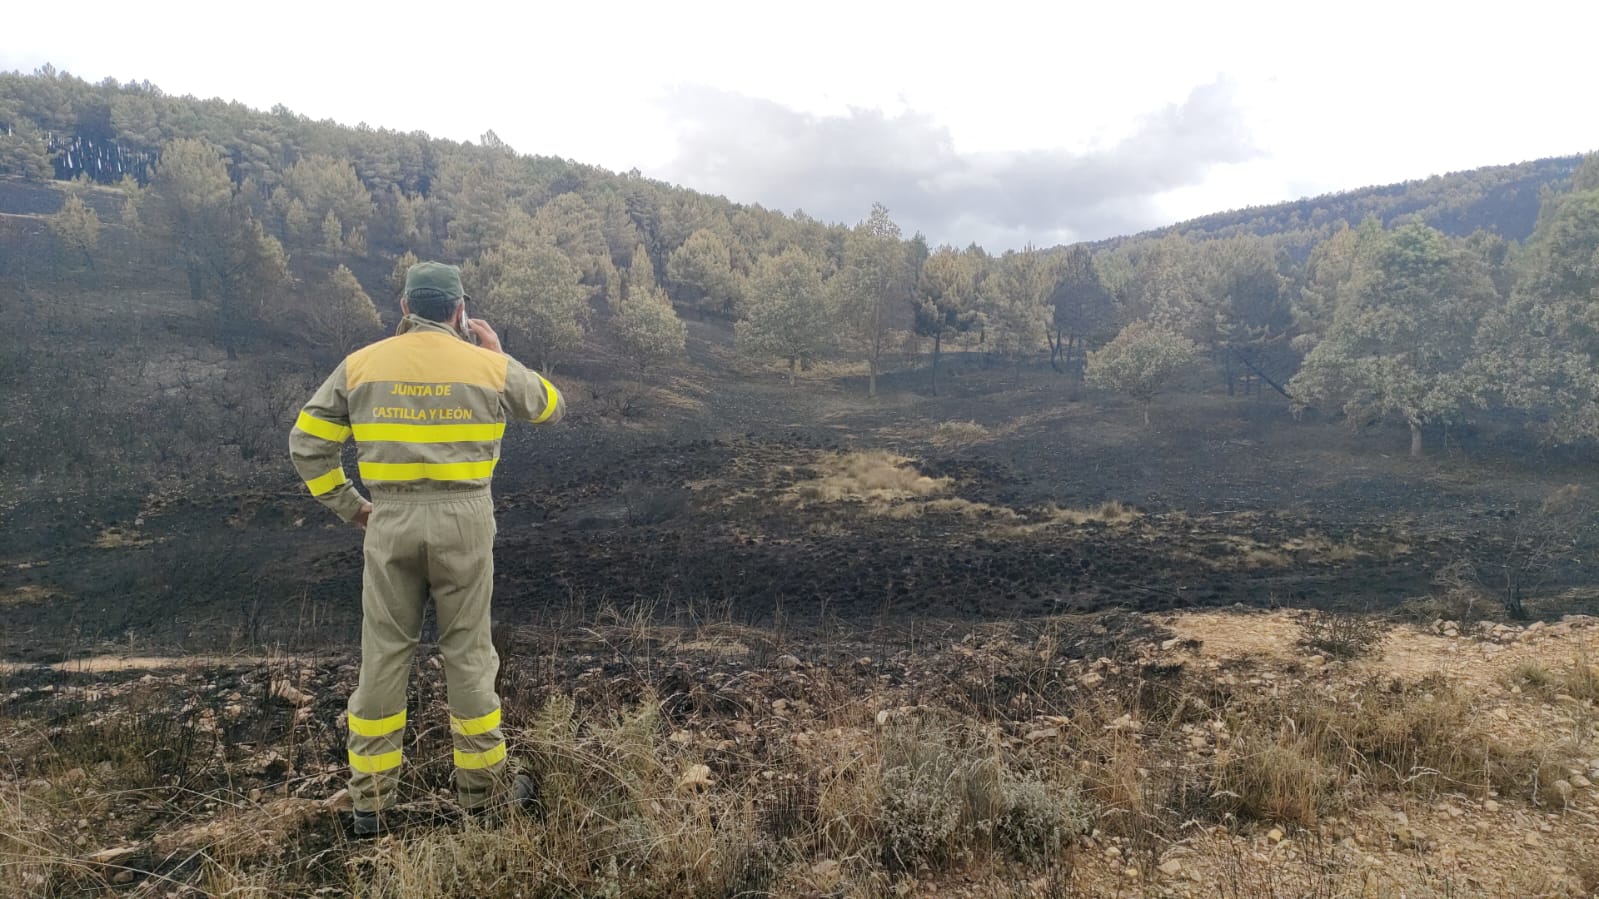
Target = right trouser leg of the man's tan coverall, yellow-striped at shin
(461,570)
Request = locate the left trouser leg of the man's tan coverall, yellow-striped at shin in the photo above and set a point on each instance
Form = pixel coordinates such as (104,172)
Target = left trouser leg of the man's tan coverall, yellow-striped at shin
(393,596)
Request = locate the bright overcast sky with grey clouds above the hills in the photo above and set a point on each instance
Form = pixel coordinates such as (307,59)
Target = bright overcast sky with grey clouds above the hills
(995,121)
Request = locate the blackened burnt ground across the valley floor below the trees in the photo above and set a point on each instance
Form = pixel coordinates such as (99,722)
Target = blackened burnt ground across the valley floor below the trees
(1230,501)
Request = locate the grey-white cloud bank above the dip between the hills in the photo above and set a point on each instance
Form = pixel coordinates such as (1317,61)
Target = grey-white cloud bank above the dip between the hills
(835,167)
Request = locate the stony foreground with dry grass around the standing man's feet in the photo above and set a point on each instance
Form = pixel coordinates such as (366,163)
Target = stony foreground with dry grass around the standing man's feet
(1472,775)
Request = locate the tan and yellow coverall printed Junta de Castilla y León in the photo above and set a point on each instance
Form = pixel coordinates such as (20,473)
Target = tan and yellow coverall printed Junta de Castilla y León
(428,412)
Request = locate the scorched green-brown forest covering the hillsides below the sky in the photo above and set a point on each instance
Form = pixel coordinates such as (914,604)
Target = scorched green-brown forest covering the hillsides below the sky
(282,231)
